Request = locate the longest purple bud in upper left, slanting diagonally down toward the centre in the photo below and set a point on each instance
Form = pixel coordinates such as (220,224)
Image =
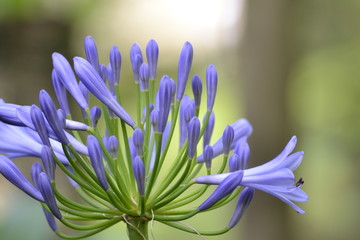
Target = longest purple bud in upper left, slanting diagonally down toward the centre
(96,85)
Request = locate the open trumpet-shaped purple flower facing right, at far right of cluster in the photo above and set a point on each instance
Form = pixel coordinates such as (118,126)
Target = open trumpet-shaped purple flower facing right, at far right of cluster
(274,177)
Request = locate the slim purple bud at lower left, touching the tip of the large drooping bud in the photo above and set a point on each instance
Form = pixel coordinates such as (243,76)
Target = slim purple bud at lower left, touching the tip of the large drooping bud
(48,194)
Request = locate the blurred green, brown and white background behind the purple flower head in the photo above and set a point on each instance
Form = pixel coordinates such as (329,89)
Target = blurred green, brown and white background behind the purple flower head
(290,67)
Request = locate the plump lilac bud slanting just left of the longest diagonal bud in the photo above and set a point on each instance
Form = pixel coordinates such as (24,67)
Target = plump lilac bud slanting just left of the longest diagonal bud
(67,77)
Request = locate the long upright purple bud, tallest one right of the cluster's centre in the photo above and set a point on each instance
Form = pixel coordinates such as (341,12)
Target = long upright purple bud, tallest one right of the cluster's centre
(185,62)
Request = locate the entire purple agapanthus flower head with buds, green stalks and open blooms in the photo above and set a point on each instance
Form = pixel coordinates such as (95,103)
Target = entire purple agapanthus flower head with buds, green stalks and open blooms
(116,163)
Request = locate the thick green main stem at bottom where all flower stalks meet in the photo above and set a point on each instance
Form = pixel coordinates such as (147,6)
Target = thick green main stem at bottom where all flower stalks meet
(137,229)
